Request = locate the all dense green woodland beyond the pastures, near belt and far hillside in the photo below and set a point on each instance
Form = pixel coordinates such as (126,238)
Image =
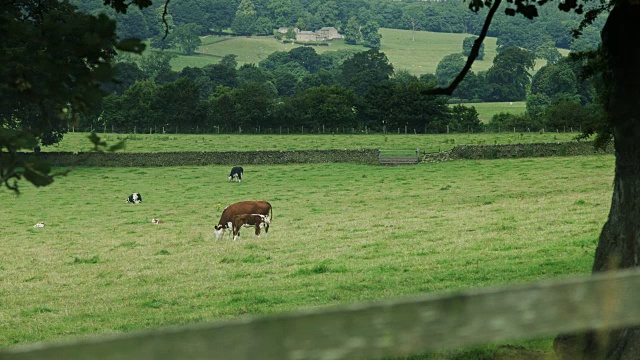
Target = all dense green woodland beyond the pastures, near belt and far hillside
(339,91)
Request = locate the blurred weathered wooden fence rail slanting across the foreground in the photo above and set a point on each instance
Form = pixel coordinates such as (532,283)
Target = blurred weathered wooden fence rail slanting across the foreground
(385,328)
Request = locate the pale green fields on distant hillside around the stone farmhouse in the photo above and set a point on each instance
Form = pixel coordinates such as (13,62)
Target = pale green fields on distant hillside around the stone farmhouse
(418,57)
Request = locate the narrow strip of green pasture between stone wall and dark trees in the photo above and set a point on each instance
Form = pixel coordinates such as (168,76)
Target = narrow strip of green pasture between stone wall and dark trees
(78,142)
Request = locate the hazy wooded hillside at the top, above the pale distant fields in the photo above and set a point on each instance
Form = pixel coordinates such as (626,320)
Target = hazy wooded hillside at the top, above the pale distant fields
(189,19)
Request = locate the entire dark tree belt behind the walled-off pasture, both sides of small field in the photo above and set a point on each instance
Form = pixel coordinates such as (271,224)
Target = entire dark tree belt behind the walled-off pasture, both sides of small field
(341,91)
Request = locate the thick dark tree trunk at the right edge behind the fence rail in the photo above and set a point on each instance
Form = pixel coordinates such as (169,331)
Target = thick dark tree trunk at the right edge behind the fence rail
(619,242)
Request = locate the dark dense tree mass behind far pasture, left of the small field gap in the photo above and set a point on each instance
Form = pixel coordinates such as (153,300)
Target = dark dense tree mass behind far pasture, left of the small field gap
(337,91)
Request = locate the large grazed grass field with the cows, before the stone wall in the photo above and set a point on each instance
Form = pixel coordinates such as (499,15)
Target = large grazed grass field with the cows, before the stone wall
(341,233)
